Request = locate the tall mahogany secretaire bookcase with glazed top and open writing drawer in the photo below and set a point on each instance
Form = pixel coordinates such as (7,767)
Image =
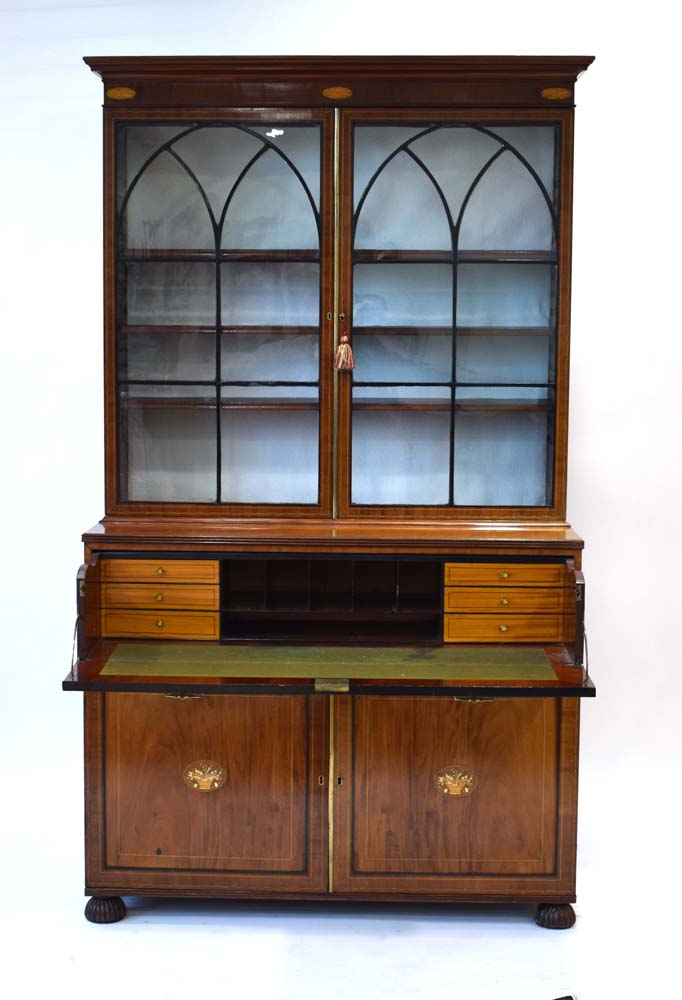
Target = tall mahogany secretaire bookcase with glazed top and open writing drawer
(330,630)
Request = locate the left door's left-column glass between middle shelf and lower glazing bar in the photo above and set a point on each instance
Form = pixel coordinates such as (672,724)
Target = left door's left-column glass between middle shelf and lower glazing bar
(167,355)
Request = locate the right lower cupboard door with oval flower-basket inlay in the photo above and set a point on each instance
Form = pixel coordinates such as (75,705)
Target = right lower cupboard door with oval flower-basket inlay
(431,791)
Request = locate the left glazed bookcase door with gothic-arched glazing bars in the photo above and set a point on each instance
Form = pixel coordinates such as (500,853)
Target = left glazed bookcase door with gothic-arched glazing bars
(222,279)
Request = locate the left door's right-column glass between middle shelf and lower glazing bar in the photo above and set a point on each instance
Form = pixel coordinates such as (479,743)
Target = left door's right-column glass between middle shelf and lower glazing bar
(270,357)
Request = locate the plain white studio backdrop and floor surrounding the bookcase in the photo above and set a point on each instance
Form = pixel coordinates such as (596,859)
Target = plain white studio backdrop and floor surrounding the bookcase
(624,498)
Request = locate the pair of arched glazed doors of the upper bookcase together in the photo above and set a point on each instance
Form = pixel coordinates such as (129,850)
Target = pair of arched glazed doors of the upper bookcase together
(246,245)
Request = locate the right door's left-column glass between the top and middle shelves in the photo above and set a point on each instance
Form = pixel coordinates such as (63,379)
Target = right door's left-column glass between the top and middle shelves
(402,295)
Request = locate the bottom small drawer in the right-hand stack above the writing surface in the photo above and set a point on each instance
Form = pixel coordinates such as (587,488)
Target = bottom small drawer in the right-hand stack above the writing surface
(511,628)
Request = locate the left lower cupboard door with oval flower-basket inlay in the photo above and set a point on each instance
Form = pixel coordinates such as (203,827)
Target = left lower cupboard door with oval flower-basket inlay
(223,788)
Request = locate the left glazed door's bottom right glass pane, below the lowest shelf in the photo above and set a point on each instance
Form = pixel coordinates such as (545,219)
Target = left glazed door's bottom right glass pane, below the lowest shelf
(270,455)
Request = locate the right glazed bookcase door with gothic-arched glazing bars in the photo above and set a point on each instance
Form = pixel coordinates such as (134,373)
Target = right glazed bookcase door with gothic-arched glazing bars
(452,282)
